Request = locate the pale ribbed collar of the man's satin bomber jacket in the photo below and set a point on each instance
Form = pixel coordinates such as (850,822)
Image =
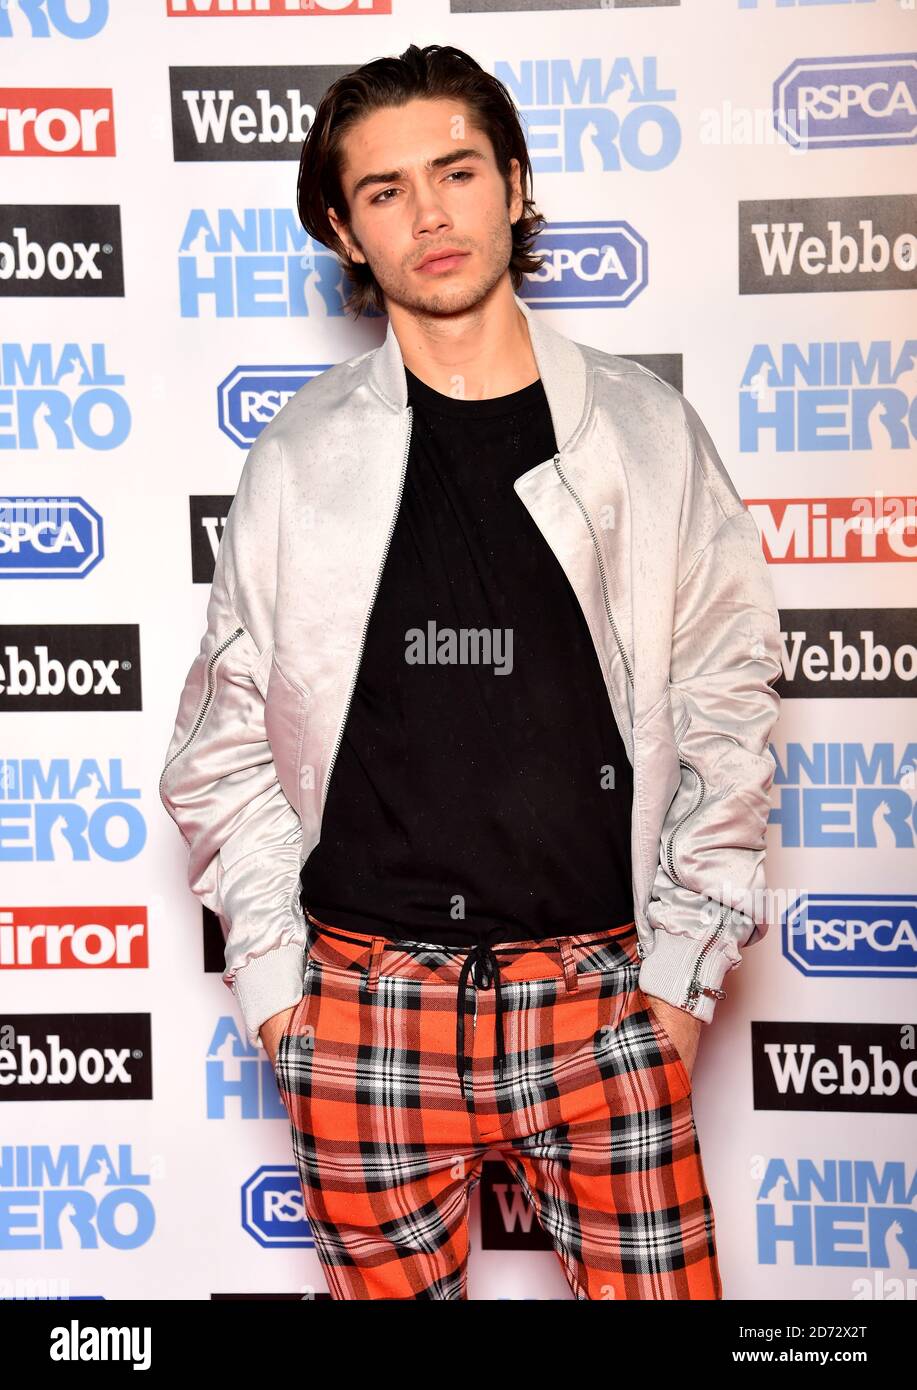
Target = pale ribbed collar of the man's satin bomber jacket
(561,365)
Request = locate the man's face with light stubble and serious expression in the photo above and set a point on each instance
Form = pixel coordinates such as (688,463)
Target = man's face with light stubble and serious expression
(401,211)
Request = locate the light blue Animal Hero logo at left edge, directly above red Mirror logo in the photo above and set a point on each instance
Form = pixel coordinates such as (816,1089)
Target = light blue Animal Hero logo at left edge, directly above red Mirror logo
(63,810)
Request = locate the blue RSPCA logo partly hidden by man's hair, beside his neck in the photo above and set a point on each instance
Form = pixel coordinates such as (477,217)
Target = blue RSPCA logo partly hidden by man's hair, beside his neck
(588,266)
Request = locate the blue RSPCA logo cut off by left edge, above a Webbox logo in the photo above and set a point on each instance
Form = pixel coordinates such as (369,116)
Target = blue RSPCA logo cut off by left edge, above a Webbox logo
(49,539)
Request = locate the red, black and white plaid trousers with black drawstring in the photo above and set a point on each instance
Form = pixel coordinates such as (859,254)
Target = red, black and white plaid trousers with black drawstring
(568,1074)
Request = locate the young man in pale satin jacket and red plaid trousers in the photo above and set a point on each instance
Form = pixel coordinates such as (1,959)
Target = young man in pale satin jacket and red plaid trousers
(474,758)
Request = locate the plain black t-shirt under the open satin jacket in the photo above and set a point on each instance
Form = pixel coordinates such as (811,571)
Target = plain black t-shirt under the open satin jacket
(484,797)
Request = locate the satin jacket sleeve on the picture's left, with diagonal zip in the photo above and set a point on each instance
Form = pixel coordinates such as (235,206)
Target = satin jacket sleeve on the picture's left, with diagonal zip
(219,782)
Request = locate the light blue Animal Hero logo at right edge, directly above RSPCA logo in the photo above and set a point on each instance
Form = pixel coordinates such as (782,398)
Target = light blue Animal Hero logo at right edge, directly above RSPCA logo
(845,797)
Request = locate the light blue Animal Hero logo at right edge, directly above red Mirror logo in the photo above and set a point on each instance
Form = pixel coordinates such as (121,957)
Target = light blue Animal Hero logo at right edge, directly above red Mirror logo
(832,395)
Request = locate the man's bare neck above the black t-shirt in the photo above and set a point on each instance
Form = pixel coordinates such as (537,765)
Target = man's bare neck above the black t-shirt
(476,355)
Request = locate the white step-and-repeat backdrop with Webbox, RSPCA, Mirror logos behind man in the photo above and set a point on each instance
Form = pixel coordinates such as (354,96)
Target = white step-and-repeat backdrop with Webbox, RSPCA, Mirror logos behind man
(730,190)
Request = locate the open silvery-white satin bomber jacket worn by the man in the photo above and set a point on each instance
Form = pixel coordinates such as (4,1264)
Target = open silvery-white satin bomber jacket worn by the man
(668,565)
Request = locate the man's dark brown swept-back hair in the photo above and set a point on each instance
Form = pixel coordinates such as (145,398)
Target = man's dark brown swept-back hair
(434,72)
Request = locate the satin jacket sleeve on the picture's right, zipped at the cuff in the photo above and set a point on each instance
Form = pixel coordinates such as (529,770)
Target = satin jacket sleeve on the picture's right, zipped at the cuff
(709,894)
